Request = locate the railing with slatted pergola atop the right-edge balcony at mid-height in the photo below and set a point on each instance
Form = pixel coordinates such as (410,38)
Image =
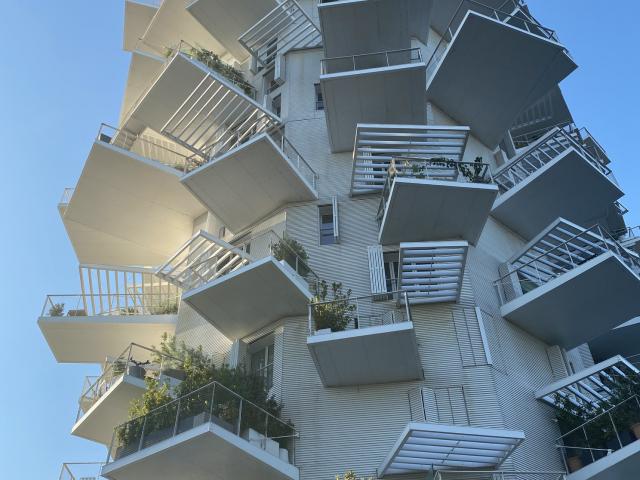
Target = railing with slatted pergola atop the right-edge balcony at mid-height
(561,248)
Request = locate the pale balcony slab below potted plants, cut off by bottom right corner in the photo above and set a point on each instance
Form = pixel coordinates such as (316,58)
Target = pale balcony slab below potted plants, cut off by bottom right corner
(621,464)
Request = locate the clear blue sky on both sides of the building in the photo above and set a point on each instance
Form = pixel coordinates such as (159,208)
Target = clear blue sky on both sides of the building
(63,73)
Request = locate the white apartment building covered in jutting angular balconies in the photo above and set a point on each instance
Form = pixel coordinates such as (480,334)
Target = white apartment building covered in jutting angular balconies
(422,154)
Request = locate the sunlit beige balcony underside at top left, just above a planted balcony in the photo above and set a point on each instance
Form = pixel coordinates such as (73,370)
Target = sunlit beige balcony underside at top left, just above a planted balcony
(174,23)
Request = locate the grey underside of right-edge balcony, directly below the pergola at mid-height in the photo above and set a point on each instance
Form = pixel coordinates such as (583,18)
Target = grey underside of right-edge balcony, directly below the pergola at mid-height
(579,305)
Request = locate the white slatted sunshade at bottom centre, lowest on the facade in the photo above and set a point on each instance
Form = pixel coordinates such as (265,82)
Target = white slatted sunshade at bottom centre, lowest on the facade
(424,447)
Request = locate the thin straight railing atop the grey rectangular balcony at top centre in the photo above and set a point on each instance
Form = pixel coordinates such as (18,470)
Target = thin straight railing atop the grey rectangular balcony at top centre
(352,63)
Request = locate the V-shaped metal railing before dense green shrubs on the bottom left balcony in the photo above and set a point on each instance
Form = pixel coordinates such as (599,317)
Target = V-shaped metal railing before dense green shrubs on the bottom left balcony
(213,403)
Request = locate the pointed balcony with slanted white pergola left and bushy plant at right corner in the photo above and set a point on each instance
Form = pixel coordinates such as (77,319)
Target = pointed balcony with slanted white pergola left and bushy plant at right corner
(242,286)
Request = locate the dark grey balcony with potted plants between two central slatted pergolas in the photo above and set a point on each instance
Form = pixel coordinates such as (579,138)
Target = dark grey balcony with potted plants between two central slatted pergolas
(435,199)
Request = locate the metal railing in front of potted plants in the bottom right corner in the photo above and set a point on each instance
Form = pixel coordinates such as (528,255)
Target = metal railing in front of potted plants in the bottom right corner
(602,435)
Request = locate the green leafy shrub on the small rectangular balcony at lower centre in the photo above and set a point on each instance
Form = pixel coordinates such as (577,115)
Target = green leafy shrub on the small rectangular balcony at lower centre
(334,313)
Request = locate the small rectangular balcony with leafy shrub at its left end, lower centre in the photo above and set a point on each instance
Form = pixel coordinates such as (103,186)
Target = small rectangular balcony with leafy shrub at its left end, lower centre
(364,340)
